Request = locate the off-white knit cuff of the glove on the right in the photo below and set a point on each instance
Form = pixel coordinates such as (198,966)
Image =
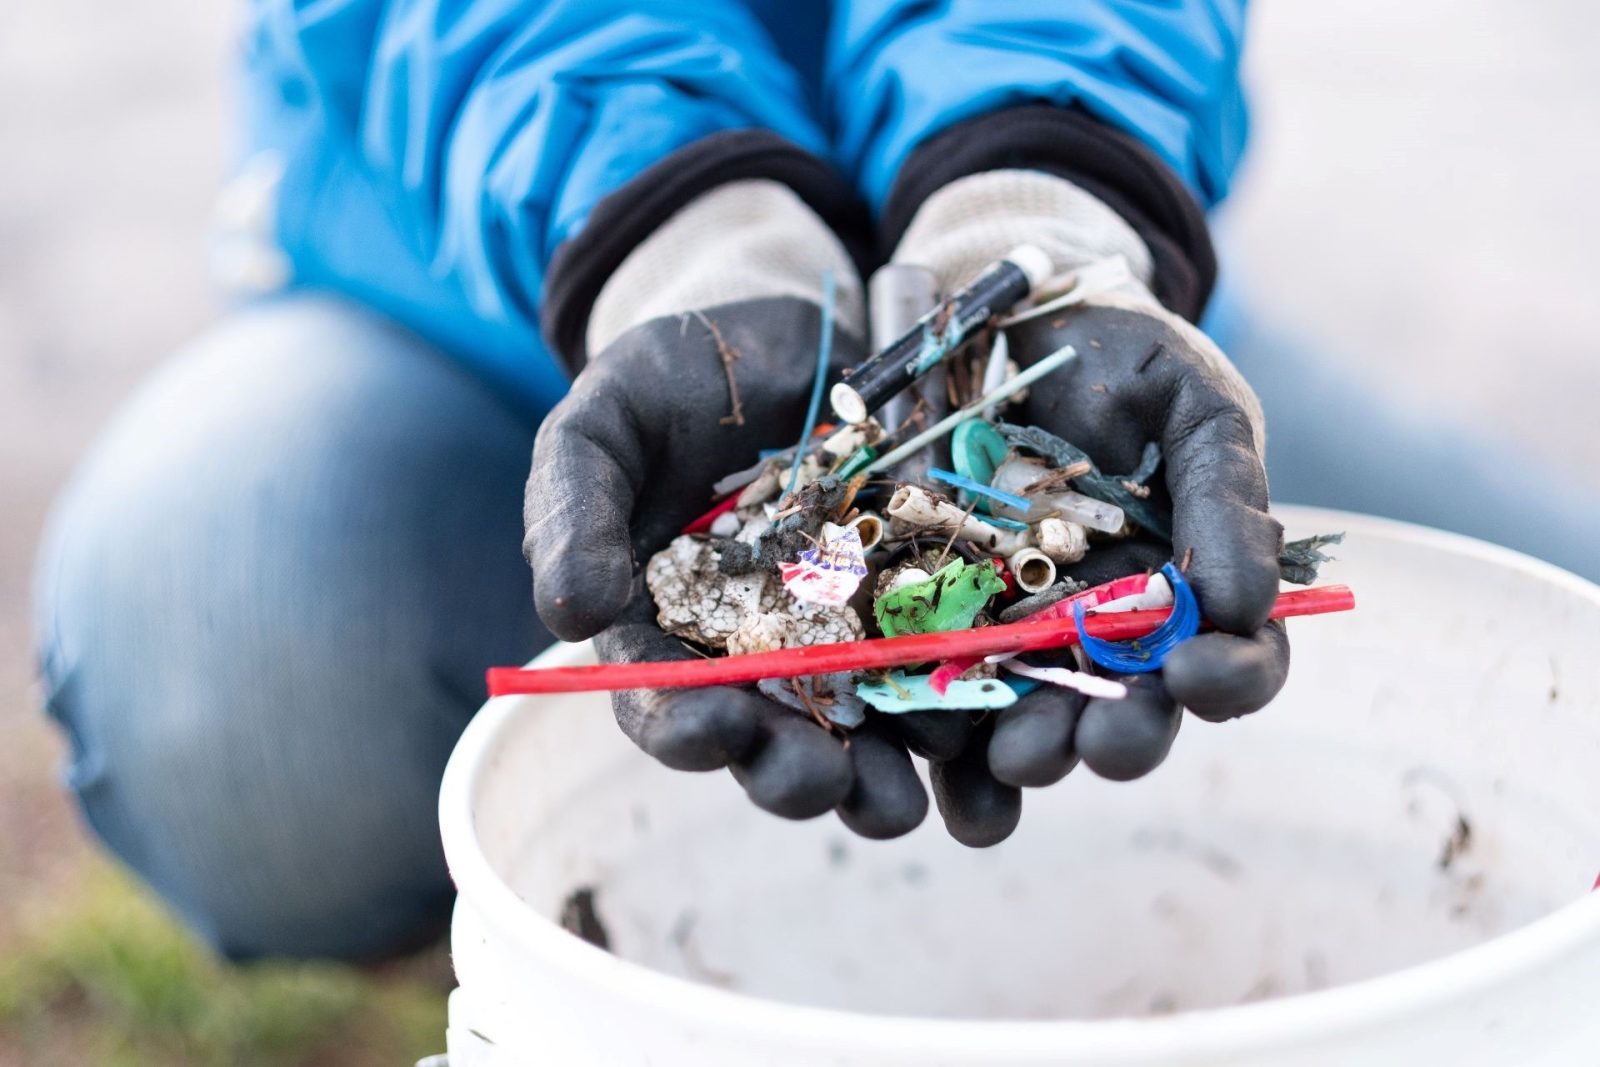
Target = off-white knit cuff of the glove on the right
(966,226)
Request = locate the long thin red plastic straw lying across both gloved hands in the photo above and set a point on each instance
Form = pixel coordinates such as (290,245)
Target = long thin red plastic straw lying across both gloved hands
(886,652)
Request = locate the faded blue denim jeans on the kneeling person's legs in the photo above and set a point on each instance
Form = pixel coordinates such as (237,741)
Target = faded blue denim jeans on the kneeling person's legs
(268,599)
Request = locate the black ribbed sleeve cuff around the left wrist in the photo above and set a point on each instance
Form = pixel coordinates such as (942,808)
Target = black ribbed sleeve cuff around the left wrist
(633,214)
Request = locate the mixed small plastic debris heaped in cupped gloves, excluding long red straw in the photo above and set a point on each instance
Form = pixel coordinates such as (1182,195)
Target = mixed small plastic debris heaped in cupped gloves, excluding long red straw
(822,543)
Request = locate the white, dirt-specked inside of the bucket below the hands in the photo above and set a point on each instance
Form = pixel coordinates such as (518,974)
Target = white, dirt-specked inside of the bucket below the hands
(1423,785)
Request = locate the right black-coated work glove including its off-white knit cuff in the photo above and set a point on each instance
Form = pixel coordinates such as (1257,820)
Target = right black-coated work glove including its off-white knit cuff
(1142,375)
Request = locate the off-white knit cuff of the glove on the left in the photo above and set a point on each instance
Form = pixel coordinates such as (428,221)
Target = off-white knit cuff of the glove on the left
(740,242)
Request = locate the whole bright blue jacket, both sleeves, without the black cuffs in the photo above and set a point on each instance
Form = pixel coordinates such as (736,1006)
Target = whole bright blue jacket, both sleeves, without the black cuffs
(438,153)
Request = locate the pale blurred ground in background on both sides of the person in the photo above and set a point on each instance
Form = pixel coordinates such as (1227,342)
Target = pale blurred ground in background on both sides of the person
(1418,201)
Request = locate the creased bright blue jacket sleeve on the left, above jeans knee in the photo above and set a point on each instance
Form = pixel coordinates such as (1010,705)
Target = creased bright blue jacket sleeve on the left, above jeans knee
(438,153)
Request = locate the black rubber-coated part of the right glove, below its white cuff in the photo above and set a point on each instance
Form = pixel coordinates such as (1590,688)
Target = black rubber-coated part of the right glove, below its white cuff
(1143,378)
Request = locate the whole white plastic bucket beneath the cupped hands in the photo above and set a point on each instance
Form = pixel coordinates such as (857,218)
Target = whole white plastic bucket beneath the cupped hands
(1294,889)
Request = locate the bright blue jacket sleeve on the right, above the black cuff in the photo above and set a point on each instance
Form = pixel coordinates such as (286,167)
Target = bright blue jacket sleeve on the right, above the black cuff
(902,71)
